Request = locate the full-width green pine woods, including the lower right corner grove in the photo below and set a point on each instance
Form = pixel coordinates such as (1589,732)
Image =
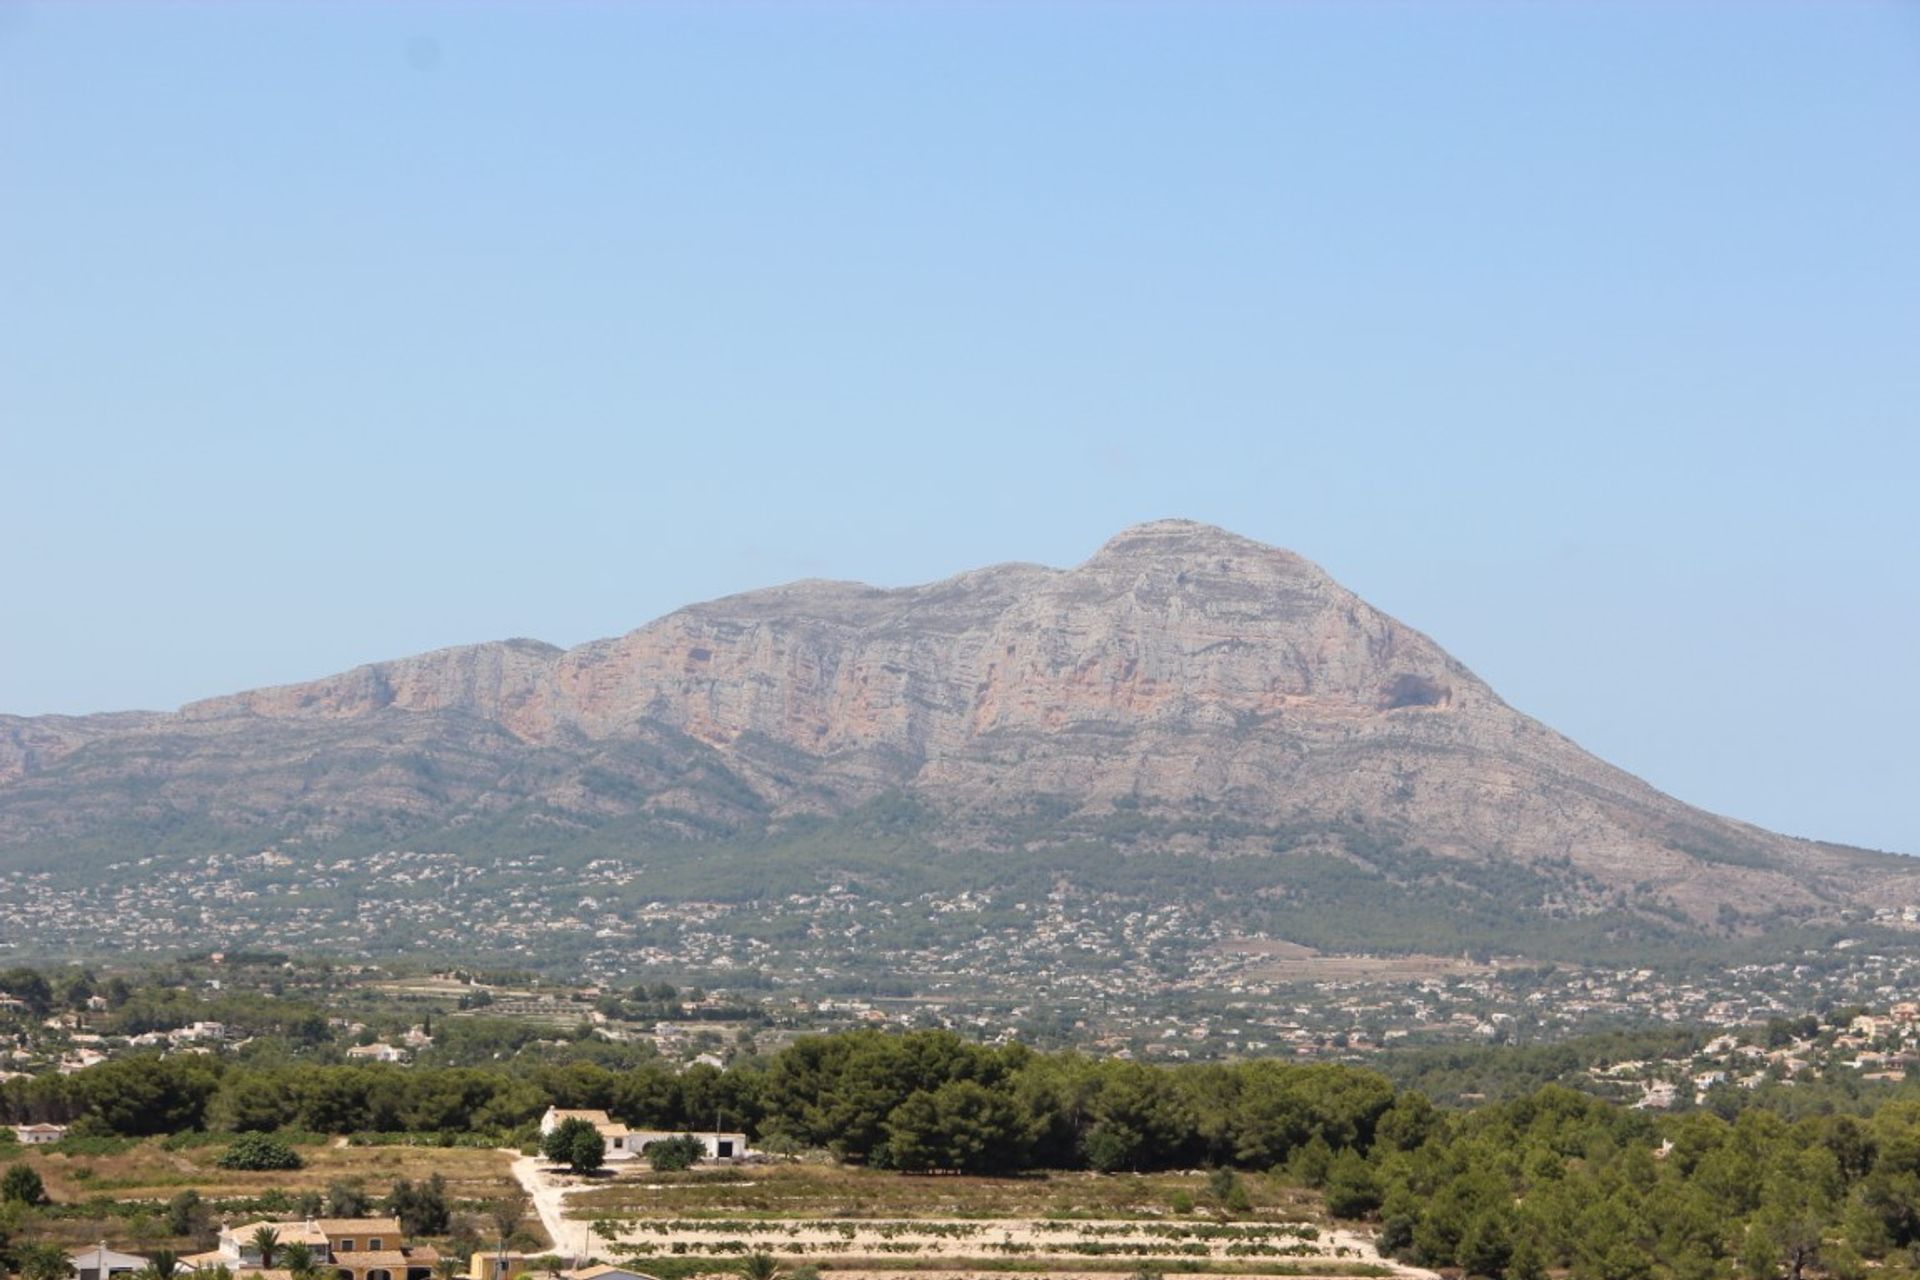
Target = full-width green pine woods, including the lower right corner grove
(1760,1187)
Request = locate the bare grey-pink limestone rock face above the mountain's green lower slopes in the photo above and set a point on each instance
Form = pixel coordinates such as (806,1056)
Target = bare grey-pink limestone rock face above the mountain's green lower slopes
(1182,667)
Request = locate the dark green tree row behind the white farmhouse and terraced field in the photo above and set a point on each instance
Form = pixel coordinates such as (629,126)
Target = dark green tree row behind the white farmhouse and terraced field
(921,1101)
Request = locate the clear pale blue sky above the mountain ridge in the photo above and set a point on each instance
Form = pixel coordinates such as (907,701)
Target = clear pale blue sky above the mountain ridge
(1583,339)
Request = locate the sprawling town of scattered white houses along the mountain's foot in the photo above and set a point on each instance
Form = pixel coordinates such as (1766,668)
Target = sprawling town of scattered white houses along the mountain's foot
(1059,968)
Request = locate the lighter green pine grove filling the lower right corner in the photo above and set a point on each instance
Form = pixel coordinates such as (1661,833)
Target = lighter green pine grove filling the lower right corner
(1568,1181)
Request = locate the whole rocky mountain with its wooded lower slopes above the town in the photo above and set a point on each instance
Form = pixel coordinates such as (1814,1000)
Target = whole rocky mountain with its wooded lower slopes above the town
(1182,696)
